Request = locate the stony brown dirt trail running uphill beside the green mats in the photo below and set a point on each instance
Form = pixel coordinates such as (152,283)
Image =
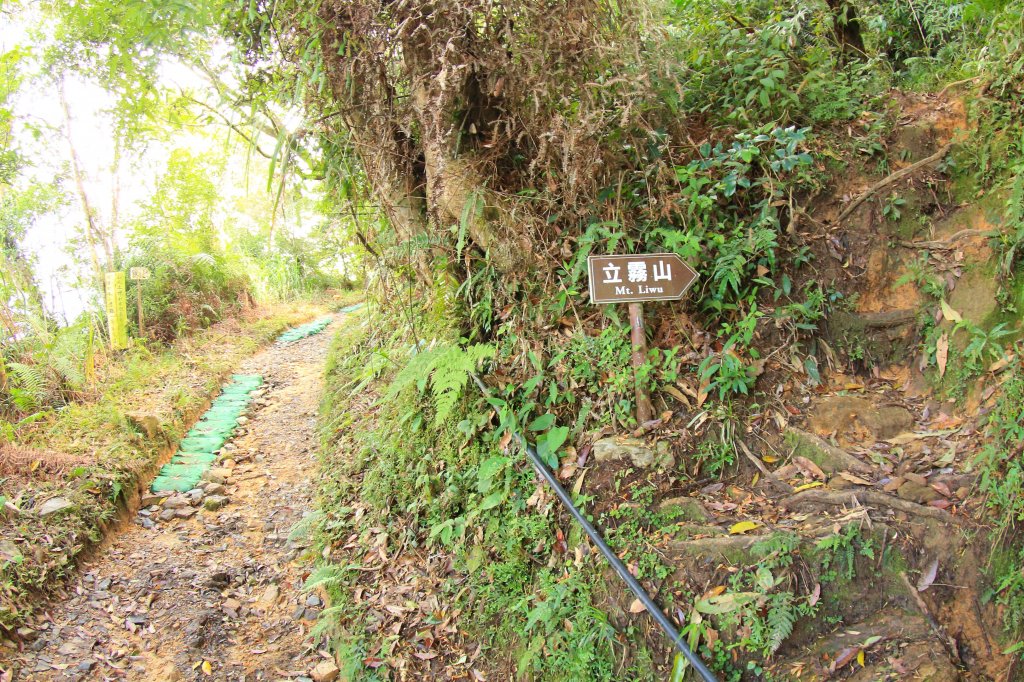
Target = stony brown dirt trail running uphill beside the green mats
(218,595)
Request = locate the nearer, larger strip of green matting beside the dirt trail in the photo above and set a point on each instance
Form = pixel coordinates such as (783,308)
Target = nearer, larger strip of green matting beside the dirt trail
(198,450)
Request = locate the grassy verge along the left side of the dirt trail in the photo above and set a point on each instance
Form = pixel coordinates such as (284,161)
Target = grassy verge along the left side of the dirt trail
(96,451)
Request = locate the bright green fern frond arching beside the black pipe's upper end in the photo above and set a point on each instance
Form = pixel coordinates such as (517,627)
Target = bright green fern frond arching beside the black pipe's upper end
(445,371)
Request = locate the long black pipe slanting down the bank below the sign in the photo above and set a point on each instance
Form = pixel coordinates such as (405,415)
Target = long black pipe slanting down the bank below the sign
(617,564)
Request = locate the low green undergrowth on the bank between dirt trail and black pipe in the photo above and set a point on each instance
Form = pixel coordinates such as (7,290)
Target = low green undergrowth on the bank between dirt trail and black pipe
(449,485)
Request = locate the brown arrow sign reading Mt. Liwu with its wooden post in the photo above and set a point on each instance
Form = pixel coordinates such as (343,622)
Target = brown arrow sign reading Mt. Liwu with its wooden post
(633,280)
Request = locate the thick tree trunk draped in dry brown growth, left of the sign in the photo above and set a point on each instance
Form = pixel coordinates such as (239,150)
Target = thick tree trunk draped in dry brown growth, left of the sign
(459,110)
